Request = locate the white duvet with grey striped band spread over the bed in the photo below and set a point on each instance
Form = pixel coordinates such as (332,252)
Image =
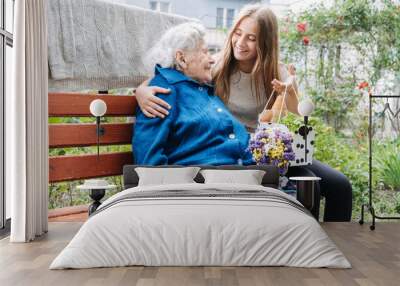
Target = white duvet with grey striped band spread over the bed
(183,231)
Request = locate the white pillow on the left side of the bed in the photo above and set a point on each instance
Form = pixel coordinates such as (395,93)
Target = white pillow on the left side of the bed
(166,176)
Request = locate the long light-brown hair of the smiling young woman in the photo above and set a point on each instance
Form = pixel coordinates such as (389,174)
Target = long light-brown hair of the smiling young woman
(266,65)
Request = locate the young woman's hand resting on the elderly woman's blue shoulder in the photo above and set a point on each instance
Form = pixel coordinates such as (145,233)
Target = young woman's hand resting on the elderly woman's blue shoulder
(150,104)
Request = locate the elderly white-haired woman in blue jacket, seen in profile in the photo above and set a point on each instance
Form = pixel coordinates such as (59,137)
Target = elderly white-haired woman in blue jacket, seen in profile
(199,128)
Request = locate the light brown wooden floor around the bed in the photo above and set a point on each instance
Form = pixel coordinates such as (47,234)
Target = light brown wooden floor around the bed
(375,256)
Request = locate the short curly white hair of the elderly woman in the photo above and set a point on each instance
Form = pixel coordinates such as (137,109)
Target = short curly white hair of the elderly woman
(186,37)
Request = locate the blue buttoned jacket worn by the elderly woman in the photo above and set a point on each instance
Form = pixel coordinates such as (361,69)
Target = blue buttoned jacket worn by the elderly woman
(199,129)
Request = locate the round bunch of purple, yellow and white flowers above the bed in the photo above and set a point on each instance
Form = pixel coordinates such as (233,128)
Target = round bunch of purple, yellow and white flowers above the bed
(272,144)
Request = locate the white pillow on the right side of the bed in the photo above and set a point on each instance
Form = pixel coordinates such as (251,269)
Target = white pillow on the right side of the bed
(249,177)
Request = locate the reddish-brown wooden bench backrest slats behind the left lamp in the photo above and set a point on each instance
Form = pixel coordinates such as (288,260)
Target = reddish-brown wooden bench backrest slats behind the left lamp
(75,167)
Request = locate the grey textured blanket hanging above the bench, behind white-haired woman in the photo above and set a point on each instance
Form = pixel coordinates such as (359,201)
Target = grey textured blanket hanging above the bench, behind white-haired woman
(100,45)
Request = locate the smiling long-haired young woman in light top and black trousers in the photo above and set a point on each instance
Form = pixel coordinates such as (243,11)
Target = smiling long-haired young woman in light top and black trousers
(250,80)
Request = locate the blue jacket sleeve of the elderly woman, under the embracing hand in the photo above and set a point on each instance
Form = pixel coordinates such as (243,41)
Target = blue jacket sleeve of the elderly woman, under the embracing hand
(151,134)
